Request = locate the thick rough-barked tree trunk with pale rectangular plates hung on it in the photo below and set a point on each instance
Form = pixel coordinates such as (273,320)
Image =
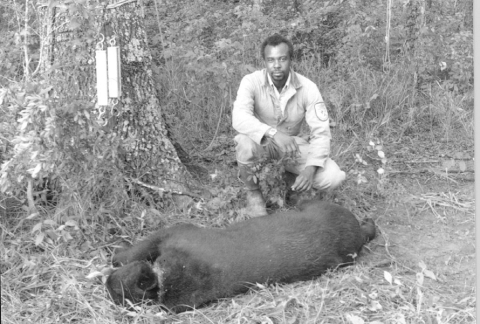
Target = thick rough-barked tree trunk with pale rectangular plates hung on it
(147,155)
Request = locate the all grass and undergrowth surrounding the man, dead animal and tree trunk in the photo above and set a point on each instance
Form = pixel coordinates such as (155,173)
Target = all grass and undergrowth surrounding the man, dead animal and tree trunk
(397,79)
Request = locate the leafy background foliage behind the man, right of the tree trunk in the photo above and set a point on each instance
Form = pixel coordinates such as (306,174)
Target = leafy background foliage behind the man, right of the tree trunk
(337,44)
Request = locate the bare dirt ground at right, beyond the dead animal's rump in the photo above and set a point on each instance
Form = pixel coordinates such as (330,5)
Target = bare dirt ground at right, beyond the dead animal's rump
(427,219)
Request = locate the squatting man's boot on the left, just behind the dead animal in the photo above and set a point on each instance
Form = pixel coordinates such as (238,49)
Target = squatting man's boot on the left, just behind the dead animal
(255,201)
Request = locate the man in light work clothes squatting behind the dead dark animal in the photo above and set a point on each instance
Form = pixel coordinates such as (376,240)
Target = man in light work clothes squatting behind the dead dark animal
(268,114)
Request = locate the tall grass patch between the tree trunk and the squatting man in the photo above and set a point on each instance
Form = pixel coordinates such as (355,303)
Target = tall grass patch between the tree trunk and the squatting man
(197,109)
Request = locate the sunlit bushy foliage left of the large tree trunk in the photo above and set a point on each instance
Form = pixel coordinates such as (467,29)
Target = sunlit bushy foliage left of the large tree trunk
(55,138)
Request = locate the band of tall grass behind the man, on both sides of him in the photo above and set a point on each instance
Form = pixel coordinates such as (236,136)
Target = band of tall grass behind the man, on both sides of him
(373,103)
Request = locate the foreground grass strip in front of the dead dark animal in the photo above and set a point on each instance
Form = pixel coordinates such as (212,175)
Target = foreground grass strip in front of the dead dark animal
(49,284)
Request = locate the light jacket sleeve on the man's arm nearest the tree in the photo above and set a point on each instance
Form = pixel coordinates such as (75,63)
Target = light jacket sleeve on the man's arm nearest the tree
(244,120)
